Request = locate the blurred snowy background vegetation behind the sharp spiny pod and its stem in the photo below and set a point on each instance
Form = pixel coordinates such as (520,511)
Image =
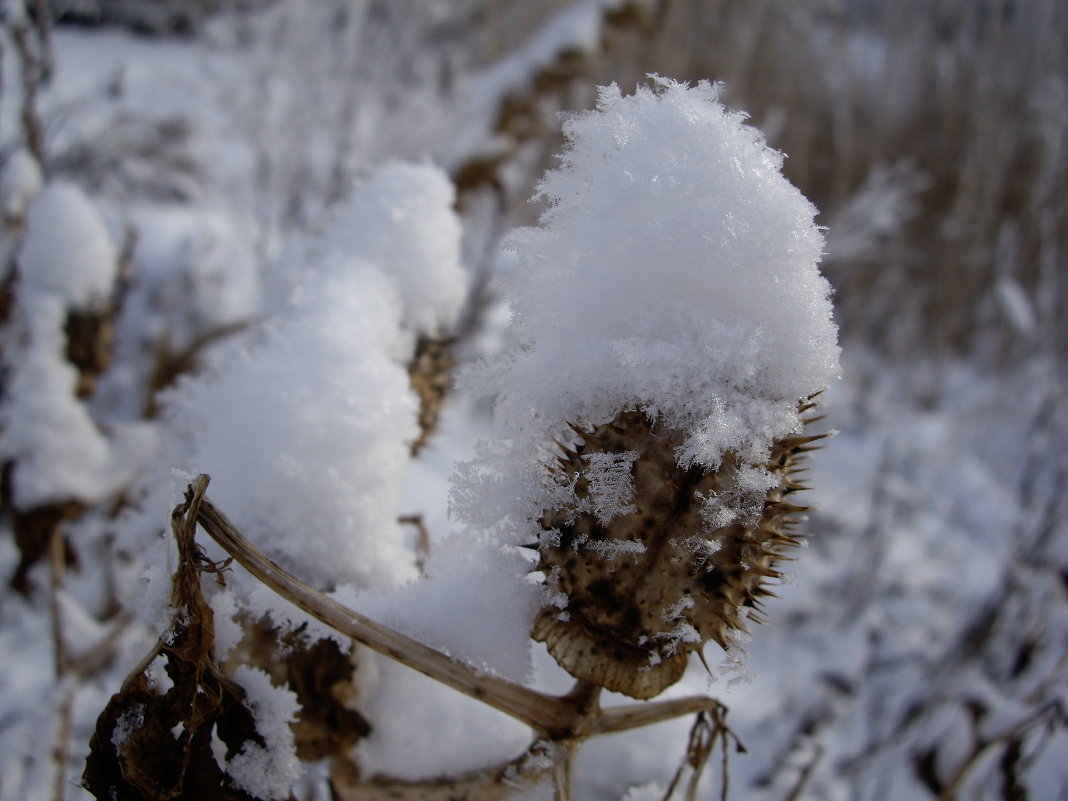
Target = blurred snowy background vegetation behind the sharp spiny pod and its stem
(189,198)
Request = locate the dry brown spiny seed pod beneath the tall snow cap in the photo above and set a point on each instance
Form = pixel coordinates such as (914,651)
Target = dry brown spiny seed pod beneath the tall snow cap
(672,570)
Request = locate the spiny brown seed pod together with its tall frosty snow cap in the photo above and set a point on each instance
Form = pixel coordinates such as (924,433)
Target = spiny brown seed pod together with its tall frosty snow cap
(673,329)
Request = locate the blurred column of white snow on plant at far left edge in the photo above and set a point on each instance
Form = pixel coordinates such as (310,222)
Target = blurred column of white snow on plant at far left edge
(67,262)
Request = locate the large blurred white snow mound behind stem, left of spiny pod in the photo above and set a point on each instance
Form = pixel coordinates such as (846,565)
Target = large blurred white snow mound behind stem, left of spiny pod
(305,426)
